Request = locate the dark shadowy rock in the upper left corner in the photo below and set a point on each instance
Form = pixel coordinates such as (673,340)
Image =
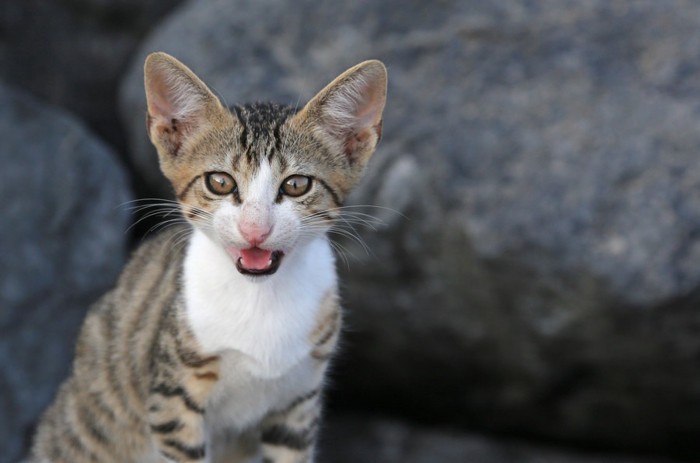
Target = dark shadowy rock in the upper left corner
(73,53)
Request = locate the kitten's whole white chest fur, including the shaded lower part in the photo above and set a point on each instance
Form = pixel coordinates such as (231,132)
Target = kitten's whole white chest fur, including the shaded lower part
(259,326)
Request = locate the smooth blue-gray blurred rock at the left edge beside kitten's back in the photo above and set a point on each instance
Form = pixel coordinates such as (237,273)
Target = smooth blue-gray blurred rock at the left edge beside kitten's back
(62,243)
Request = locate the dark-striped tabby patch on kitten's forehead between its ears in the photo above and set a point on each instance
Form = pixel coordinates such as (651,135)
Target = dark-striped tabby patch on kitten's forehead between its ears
(261,136)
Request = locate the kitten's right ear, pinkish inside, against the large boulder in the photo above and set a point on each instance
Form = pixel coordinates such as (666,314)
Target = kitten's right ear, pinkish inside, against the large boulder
(347,114)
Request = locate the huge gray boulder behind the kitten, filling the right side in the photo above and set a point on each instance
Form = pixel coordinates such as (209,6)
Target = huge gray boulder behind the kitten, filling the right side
(538,270)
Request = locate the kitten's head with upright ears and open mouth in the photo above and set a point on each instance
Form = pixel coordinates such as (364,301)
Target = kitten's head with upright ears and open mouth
(262,180)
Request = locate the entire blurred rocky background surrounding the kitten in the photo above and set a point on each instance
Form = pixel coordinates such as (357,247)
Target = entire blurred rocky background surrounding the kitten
(533,292)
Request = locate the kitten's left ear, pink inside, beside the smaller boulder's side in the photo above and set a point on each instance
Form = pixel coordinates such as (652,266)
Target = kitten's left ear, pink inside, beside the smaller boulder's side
(179,103)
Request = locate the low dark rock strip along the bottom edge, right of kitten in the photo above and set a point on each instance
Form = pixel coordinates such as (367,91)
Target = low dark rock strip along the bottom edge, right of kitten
(355,438)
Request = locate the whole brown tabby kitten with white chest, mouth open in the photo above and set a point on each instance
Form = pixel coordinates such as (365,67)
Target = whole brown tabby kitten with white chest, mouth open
(216,351)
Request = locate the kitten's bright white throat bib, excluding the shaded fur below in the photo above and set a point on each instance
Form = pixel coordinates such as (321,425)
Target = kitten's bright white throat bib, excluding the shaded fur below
(229,311)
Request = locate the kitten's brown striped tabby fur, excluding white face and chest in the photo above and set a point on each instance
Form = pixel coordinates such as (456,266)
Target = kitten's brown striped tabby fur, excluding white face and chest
(141,383)
